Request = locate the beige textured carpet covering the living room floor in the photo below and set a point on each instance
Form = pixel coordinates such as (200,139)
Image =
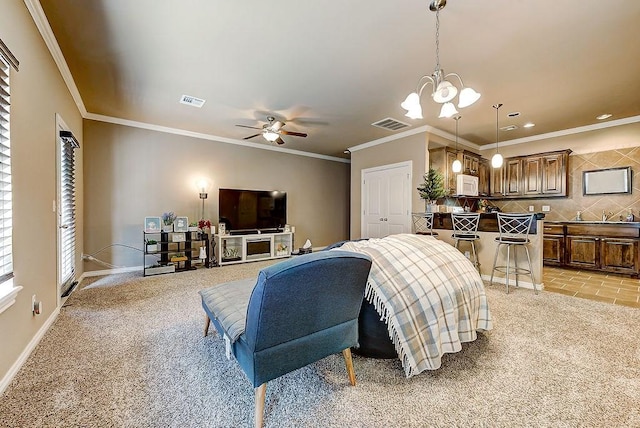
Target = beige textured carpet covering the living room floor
(128,351)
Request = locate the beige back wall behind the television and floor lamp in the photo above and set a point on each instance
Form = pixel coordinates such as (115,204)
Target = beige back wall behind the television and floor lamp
(133,173)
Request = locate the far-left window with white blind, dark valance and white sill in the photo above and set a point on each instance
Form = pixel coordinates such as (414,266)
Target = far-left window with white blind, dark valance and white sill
(8,291)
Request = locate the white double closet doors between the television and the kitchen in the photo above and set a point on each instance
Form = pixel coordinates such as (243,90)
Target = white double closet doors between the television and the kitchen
(386,200)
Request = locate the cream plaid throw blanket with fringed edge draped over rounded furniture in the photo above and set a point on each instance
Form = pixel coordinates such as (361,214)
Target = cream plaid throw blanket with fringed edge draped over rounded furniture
(431,297)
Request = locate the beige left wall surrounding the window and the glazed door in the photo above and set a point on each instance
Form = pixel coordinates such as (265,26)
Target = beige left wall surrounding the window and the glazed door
(37,94)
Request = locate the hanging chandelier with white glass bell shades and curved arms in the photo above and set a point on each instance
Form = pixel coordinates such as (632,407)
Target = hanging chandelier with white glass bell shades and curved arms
(443,91)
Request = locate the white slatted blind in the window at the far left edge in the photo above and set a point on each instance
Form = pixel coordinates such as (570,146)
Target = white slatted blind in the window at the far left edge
(6,226)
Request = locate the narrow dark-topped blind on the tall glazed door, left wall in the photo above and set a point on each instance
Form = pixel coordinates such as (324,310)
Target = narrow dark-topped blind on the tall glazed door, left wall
(67,208)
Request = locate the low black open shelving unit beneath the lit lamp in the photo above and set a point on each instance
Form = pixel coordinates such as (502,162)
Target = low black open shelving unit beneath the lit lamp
(173,253)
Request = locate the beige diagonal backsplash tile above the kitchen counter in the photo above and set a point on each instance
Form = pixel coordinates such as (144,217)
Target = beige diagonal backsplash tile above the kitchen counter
(564,209)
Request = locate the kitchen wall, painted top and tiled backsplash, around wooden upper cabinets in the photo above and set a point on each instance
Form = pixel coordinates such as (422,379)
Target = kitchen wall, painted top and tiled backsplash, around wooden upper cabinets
(605,148)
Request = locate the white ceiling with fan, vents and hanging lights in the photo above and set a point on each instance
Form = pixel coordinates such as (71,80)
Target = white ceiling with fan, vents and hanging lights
(330,69)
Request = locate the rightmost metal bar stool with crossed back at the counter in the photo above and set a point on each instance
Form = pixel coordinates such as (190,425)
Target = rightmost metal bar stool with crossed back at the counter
(514,232)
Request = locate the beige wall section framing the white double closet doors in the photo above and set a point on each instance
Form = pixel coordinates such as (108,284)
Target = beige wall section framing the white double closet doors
(413,148)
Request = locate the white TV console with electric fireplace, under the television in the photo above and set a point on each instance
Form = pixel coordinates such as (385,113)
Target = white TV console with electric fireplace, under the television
(232,249)
